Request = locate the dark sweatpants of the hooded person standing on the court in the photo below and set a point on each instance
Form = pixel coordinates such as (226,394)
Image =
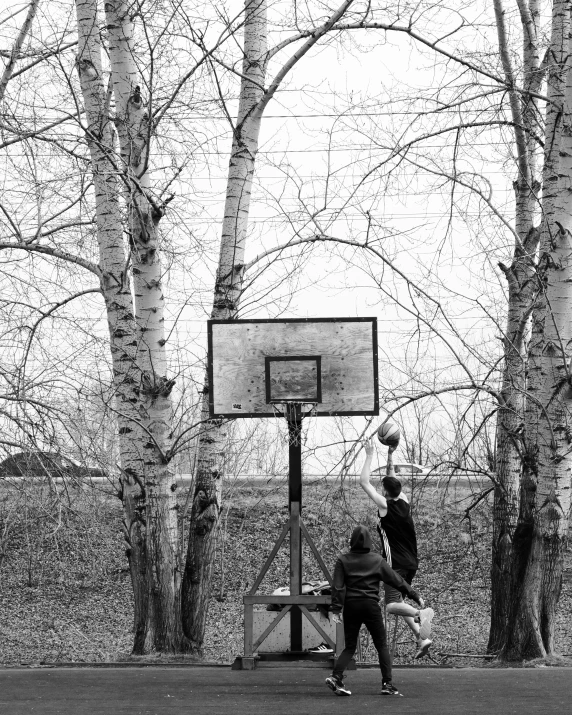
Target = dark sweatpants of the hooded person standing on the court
(356,612)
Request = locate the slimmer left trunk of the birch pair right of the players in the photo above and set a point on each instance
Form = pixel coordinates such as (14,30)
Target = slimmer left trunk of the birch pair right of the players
(522,289)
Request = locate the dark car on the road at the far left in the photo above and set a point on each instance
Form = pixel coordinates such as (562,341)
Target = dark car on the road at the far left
(46,464)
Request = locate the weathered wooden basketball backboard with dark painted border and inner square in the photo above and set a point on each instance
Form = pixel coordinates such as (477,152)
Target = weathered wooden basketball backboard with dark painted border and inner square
(331,362)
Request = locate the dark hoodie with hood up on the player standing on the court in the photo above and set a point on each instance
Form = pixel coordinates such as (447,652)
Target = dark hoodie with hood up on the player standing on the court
(359,573)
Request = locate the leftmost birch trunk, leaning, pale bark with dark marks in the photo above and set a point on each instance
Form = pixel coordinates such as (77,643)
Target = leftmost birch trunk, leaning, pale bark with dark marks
(115,288)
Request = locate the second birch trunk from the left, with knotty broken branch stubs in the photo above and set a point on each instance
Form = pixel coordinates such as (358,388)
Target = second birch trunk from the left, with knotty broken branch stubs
(163,625)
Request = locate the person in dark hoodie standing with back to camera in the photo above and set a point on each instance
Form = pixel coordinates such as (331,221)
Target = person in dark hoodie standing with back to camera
(357,577)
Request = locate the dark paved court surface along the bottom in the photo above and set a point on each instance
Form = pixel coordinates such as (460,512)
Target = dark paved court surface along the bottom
(221,691)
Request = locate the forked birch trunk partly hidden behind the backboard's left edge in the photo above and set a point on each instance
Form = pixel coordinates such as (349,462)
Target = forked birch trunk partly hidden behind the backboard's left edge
(254,98)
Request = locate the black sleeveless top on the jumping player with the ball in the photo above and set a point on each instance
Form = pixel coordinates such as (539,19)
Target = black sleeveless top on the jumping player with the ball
(397,532)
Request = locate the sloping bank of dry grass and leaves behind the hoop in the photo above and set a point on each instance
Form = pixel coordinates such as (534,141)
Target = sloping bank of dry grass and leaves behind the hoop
(65,593)
